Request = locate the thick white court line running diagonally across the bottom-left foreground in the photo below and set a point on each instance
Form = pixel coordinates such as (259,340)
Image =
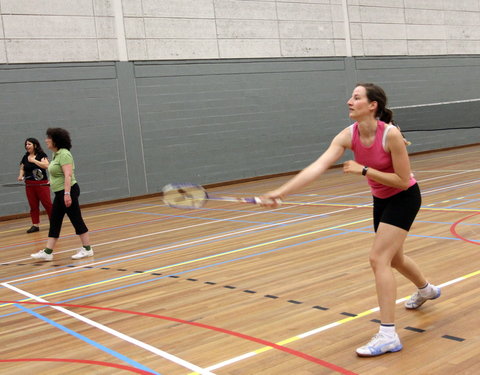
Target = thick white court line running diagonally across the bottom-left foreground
(115,333)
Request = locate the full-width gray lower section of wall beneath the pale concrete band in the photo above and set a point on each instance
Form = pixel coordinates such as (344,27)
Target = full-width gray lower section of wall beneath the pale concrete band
(138,126)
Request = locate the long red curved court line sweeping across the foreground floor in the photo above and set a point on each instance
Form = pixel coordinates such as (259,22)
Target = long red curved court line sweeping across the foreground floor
(201,325)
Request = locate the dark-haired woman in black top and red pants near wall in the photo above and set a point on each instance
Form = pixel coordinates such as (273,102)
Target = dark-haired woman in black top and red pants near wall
(33,171)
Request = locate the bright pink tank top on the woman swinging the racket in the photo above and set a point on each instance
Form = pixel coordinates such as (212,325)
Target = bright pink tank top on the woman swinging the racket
(376,157)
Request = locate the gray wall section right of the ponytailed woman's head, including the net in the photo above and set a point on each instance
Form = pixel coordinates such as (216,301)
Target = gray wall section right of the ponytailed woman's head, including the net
(429,92)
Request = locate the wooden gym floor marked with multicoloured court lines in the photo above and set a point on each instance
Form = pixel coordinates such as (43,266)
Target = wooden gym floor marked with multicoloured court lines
(237,289)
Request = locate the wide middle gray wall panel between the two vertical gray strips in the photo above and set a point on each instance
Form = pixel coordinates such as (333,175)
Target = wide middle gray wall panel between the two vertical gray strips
(216,125)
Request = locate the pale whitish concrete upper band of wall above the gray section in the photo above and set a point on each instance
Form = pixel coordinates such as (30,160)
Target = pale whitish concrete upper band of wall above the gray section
(108,30)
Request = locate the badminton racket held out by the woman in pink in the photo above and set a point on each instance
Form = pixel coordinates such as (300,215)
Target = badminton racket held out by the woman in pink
(189,196)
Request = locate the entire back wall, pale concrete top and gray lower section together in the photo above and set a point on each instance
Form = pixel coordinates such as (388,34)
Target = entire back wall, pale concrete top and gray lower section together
(206,91)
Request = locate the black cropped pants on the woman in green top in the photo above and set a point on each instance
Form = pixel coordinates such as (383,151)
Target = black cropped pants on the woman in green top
(73,212)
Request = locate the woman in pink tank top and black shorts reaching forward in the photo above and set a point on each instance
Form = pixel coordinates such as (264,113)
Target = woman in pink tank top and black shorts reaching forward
(382,158)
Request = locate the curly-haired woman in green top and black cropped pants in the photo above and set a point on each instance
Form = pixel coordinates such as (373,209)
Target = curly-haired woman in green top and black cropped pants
(66,190)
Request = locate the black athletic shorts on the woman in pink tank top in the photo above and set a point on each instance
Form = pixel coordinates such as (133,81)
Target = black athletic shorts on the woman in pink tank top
(398,210)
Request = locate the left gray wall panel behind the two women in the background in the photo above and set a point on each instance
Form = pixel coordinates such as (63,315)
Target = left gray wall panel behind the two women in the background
(87,105)
